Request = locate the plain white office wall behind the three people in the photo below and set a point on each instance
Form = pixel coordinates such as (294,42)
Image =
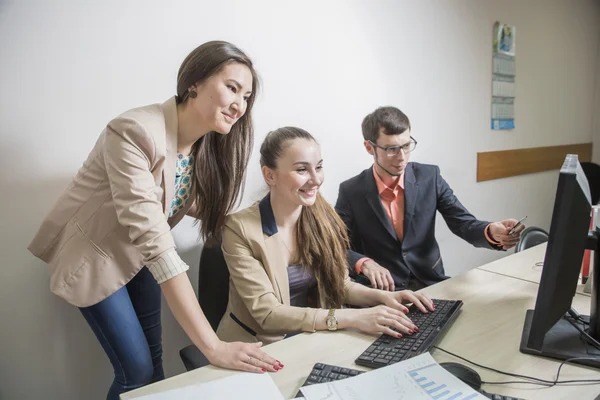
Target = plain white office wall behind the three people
(67,67)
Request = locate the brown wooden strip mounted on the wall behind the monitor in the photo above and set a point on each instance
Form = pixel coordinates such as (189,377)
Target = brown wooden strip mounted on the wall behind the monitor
(502,164)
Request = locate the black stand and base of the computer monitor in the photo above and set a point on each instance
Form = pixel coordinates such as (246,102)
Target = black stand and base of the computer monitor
(563,340)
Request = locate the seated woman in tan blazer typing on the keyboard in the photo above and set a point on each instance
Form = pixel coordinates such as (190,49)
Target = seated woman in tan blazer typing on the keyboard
(287,257)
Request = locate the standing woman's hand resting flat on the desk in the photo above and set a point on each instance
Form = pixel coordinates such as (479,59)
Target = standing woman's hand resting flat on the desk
(243,357)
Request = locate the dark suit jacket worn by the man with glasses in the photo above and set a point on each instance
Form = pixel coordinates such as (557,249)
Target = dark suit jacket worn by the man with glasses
(372,234)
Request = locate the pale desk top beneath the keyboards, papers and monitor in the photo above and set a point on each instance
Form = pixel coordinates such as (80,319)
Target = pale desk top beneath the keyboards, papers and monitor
(487,331)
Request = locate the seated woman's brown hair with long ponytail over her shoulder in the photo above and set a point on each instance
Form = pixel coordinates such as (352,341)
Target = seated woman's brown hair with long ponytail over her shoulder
(321,238)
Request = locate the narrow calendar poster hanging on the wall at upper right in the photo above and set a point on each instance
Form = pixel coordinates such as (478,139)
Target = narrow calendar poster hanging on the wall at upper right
(503,77)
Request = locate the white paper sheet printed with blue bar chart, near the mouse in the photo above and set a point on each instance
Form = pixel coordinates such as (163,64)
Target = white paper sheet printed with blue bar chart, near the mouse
(418,378)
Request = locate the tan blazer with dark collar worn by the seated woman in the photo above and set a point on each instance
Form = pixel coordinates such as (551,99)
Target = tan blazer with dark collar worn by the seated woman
(259,291)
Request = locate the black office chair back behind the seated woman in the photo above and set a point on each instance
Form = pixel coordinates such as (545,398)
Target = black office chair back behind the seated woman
(213,295)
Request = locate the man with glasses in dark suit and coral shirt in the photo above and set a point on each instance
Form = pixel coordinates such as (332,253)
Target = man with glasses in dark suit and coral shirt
(390,211)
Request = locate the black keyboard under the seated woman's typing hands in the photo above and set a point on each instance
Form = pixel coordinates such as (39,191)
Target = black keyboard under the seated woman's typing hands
(388,350)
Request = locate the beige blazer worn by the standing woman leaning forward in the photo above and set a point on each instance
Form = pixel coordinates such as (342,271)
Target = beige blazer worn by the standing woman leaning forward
(112,220)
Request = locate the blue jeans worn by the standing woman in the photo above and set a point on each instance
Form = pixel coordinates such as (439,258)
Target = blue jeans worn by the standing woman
(127,324)
